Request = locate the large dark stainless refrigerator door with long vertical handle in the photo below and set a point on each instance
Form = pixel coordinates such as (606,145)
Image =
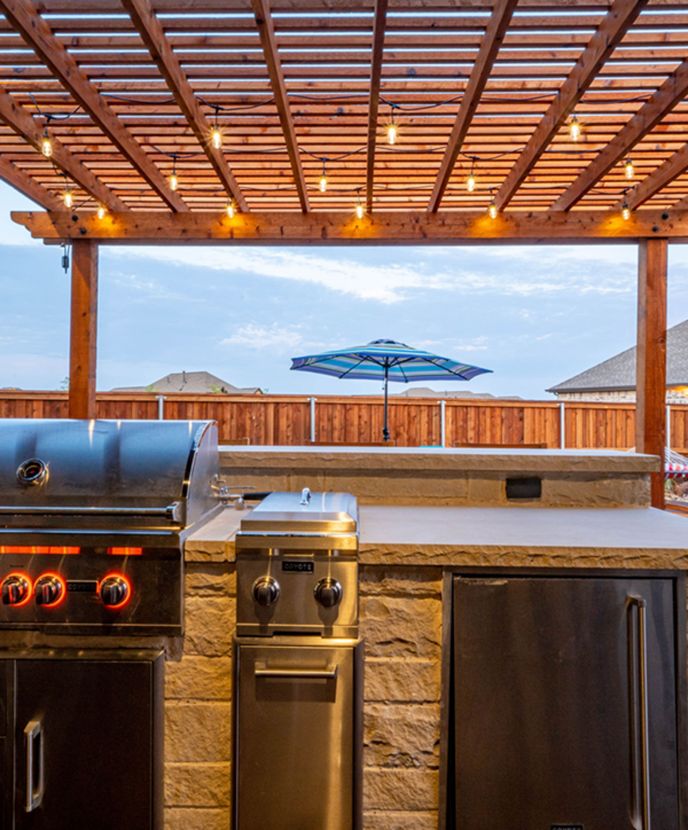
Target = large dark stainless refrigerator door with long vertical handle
(565,704)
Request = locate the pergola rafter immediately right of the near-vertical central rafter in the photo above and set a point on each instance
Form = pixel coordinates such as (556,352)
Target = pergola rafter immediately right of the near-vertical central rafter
(491,43)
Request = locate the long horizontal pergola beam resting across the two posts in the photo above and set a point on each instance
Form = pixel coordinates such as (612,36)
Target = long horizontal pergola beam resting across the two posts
(341,228)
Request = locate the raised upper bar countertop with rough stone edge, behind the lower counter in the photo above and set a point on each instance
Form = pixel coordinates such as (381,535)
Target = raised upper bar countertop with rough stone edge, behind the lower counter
(438,458)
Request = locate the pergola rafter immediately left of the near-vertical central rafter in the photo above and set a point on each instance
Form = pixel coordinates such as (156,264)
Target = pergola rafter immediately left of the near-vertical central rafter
(268,40)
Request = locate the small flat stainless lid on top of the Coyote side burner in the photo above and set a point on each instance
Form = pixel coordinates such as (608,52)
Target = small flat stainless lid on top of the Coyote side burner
(306,512)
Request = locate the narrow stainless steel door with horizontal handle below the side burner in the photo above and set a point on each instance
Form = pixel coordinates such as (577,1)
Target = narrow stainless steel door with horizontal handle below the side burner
(295,735)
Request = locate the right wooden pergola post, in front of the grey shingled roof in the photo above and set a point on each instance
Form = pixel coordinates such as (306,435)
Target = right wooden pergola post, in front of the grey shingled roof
(650,428)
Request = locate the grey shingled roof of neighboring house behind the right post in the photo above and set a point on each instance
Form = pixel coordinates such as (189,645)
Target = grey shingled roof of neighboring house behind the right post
(618,372)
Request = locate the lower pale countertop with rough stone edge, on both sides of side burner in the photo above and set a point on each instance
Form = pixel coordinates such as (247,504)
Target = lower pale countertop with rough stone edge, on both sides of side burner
(624,537)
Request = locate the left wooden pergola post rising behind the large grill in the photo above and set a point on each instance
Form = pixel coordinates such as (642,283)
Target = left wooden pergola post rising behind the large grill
(83,330)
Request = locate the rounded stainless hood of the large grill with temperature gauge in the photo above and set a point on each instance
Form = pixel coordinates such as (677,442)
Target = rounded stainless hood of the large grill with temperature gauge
(119,472)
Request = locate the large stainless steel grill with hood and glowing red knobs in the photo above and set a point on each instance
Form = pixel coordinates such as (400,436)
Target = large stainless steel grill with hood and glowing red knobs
(93,517)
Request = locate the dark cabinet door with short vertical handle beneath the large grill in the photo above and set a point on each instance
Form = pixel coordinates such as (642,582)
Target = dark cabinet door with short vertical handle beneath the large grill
(85,745)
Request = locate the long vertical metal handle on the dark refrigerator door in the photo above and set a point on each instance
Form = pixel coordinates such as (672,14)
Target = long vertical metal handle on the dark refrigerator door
(641,711)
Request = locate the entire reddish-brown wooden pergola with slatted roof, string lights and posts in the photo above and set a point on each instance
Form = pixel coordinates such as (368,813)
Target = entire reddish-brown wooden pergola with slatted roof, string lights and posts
(258,122)
